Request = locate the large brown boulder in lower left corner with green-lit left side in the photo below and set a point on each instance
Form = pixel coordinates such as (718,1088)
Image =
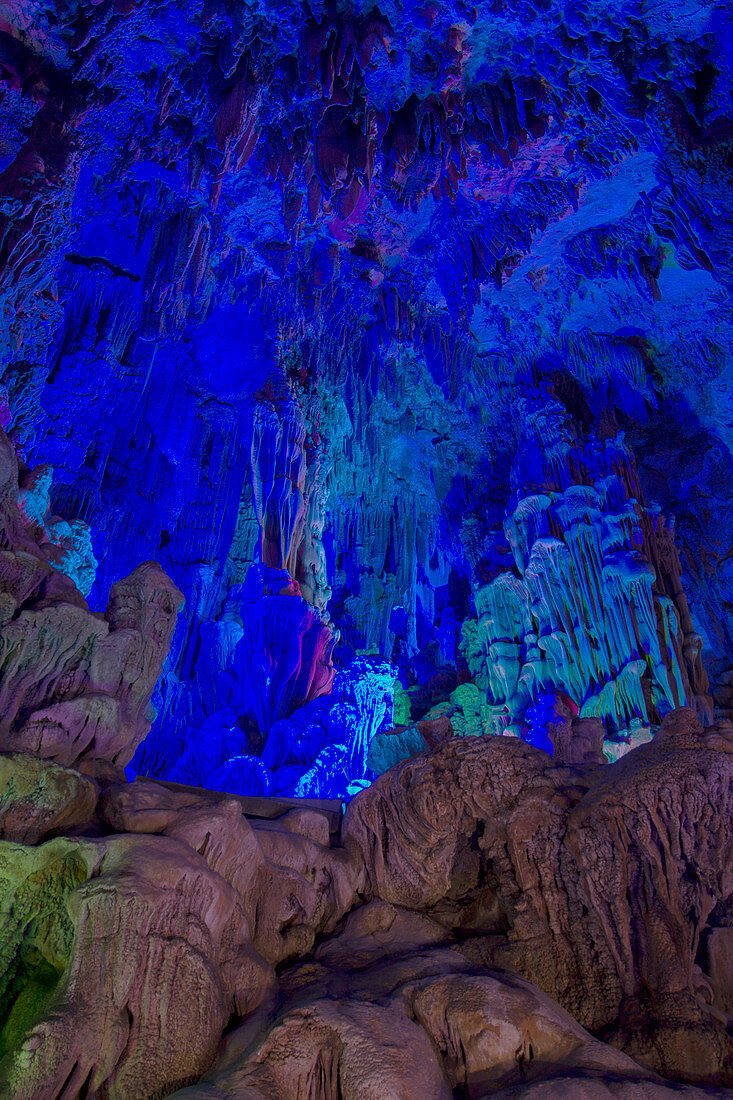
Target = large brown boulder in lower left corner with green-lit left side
(125,959)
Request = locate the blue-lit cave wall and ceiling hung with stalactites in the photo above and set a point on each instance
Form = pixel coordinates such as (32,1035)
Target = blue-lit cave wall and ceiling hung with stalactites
(273,278)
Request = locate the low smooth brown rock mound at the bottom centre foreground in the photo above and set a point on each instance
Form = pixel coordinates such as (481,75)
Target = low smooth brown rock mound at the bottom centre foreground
(422,1026)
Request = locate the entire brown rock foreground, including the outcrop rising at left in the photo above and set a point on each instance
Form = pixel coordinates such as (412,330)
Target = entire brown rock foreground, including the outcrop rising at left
(485,921)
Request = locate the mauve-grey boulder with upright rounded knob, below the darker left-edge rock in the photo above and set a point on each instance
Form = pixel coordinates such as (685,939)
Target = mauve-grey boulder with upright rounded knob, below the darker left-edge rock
(75,686)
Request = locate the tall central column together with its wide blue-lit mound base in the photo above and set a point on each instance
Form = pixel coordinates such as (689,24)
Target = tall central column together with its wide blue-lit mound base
(260,712)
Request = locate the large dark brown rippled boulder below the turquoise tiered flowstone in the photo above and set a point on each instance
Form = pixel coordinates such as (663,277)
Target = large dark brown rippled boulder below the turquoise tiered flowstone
(596,885)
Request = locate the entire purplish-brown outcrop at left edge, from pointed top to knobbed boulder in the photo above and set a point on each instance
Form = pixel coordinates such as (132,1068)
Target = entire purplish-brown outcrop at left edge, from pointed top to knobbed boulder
(75,686)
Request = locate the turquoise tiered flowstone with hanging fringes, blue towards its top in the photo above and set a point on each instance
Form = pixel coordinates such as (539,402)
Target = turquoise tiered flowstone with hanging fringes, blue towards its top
(594,609)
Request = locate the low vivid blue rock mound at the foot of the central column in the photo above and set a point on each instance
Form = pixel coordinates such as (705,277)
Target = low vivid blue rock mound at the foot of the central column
(320,751)
